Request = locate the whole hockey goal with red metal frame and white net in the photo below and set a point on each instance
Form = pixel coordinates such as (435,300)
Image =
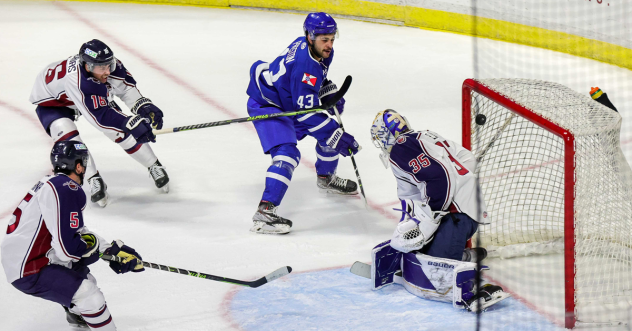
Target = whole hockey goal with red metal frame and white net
(558,190)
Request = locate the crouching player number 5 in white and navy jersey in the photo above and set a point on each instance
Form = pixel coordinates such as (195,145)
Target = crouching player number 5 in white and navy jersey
(47,249)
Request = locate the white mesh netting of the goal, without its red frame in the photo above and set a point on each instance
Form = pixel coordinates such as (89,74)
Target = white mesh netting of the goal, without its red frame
(522,178)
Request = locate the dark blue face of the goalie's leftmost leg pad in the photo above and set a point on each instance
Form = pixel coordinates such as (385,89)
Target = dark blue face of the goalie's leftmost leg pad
(386,262)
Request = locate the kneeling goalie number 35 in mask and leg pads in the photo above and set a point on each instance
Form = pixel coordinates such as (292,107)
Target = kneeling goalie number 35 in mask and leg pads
(440,212)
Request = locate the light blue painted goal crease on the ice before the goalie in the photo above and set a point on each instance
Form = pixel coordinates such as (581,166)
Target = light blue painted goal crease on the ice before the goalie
(339,300)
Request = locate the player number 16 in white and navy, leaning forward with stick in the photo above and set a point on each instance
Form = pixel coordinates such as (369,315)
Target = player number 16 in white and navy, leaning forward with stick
(85,84)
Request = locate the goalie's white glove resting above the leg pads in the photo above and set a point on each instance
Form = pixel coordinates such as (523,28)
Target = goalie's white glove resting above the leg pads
(417,227)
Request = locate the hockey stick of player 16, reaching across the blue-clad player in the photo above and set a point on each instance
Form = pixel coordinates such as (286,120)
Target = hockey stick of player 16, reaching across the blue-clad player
(341,92)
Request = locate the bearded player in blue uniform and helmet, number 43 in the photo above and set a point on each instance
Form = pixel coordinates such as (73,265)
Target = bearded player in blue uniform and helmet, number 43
(297,80)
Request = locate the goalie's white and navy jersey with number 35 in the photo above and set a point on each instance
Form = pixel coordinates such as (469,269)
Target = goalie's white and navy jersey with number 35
(436,171)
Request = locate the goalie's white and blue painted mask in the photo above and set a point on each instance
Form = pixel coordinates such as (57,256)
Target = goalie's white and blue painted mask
(387,126)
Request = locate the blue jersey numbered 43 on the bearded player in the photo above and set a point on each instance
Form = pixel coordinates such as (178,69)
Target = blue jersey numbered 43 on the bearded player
(292,81)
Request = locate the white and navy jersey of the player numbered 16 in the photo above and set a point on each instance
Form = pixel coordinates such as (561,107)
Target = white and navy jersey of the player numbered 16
(67,84)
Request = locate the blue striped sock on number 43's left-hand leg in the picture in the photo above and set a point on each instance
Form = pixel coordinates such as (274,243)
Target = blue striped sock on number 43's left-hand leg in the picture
(284,159)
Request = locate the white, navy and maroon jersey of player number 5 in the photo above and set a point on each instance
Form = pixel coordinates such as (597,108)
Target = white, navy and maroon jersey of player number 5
(46,228)
